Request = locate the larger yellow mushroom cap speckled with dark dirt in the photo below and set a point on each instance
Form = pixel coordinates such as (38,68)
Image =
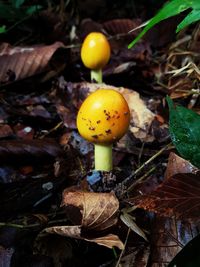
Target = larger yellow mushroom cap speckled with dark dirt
(103,117)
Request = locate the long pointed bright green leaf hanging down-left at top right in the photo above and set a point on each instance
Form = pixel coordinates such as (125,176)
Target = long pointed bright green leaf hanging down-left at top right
(170,9)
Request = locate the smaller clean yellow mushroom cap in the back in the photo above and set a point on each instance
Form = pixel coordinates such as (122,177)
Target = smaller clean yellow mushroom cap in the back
(95,51)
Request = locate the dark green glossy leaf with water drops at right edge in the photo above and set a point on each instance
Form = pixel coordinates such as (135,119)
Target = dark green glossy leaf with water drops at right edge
(184,127)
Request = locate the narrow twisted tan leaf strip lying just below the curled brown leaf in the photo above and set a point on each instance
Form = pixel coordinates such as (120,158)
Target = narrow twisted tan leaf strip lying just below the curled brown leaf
(109,240)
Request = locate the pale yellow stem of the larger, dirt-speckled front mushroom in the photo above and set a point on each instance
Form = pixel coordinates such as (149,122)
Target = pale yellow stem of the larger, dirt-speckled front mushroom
(103,157)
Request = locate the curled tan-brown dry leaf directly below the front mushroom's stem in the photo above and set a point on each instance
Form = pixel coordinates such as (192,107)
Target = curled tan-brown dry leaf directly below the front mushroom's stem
(99,210)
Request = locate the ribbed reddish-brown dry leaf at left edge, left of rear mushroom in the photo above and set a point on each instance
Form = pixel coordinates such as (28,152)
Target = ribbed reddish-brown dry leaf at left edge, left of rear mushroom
(21,62)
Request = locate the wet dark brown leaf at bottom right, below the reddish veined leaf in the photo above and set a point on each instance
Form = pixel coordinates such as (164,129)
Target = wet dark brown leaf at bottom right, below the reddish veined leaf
(169,236)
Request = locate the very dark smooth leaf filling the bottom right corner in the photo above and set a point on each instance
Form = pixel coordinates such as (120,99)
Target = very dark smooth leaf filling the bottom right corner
(189,256)
